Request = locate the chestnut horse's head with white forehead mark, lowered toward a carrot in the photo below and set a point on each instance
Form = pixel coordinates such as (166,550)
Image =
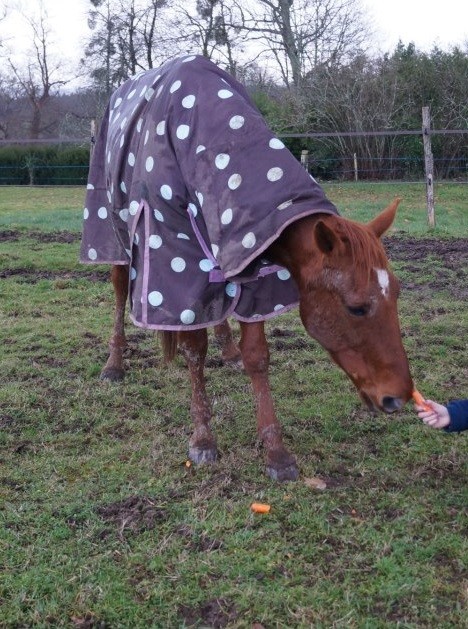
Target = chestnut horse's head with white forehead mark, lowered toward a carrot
(348,301)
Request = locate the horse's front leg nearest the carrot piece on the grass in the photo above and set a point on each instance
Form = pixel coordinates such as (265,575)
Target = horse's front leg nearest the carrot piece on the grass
(281,465)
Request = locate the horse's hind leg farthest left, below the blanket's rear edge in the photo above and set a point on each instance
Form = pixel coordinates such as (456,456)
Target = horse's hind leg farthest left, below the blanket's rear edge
(113,369)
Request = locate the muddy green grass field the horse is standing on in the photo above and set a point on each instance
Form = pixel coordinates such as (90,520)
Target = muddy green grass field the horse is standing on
(102,524)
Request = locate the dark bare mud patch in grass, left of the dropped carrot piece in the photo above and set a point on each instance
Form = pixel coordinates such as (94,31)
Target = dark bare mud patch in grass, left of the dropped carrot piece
(133,515)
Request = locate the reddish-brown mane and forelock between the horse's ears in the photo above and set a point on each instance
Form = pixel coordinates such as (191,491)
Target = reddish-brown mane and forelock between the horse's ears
(367,250)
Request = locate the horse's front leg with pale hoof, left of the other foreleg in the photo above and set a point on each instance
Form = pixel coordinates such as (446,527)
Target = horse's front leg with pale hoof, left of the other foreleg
(202,447)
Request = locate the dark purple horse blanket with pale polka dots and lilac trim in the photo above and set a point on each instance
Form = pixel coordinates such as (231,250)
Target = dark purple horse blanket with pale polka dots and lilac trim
(189,187)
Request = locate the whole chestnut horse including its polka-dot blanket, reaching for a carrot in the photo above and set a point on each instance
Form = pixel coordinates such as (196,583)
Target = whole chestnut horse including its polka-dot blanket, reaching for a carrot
(205,214)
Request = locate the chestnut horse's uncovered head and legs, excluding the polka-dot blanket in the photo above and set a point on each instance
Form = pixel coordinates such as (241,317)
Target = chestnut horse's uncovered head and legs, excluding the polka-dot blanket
(348,303)
